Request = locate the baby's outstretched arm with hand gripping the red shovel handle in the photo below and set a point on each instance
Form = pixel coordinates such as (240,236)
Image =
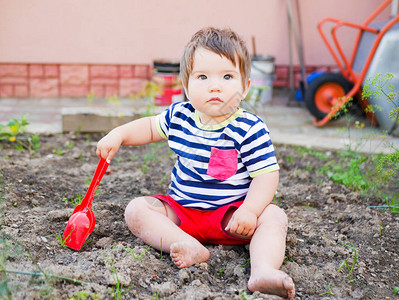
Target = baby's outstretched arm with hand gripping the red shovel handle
(137,132)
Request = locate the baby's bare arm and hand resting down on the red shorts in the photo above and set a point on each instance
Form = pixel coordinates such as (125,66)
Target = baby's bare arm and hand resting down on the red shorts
(260,194)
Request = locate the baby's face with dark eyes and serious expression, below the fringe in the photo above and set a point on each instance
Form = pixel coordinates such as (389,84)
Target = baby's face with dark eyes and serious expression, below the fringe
(214,87)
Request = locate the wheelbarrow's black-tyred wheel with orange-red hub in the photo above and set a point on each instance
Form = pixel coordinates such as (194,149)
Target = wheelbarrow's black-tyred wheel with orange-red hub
(321,92)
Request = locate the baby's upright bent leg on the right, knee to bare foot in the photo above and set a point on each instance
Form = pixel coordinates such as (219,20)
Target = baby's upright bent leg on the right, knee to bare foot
(267,249)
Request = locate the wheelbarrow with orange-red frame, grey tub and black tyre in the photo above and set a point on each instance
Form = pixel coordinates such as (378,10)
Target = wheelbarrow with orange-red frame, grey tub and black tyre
(375,51)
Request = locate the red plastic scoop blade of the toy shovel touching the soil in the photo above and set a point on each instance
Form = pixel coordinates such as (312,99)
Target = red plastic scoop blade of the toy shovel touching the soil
(79,226)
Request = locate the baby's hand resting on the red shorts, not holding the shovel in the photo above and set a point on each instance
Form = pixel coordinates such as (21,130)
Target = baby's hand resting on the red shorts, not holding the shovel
(243,222)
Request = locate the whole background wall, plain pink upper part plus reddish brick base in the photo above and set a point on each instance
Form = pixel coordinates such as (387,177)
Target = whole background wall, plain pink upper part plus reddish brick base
(68,48)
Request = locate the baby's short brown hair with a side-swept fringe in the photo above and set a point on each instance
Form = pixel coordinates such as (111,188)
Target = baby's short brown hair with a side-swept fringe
(221,41)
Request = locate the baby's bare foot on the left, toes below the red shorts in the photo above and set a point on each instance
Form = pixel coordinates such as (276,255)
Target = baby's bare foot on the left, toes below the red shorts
(185,254)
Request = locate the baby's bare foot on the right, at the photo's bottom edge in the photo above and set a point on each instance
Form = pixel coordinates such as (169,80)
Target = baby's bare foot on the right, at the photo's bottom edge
(274,282)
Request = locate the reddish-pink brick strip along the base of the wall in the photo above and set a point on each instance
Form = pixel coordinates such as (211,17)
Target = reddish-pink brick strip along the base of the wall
(78,80)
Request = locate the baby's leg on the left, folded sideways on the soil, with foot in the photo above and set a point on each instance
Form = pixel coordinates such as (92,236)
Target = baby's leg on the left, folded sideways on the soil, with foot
(151,220)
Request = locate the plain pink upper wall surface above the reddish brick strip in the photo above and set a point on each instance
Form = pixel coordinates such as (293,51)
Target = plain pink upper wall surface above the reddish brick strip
(137,32)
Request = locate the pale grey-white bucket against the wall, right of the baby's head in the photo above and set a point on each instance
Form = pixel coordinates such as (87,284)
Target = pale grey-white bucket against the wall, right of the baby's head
(262,78)
